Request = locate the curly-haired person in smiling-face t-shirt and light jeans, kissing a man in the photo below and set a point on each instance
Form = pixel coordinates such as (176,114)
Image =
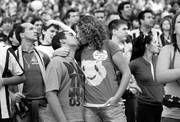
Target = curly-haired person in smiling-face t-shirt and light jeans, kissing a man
(98,59)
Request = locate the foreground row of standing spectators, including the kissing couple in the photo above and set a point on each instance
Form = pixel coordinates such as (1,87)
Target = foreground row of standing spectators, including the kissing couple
(83,74)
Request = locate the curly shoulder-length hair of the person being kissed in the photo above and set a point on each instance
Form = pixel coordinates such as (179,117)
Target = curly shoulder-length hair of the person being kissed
(92,31)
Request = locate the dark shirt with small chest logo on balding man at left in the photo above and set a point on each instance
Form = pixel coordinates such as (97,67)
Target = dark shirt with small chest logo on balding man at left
(34,84)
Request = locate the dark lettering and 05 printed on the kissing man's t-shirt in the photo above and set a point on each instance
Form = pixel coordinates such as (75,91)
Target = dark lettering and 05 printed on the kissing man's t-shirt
(76,93)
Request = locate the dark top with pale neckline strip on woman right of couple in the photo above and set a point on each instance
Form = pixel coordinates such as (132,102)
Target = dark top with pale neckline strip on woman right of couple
(152,91)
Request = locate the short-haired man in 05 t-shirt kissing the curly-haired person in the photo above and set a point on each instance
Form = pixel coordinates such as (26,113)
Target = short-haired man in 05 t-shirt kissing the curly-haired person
(65,81)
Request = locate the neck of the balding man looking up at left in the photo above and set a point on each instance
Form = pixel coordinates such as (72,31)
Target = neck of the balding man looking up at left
(27,45)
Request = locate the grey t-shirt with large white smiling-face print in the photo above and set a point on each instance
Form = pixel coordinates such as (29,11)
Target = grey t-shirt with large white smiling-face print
(98,67)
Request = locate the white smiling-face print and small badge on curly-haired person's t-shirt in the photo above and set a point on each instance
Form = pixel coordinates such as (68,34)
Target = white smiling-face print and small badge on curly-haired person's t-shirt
(94,70)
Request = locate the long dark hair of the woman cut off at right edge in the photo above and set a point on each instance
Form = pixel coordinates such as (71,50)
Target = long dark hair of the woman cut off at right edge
(173,35)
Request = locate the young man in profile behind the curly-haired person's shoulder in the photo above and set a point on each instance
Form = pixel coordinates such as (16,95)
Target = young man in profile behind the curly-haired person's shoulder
(119,34)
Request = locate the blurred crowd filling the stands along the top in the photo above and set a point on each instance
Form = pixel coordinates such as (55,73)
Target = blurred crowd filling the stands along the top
(25,10)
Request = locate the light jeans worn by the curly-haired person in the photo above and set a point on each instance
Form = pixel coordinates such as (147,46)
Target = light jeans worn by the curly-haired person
(113,113)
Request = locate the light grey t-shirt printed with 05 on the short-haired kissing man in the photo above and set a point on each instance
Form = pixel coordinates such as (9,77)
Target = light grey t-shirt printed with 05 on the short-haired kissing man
(66,77)
